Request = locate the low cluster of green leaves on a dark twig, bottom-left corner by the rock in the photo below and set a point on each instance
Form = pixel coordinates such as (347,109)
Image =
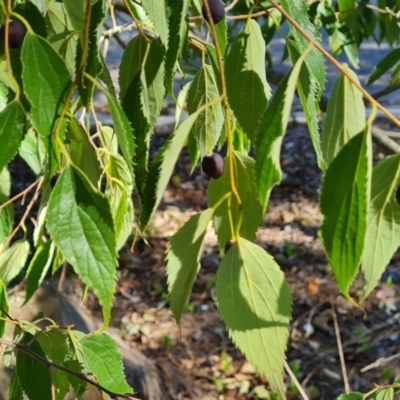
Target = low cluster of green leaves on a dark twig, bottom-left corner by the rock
(51,361)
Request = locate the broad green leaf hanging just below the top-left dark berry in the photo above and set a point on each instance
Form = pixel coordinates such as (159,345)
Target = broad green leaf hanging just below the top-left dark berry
(46,82)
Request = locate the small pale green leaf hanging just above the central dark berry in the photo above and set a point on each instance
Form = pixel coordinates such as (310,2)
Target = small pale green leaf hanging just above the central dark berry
(207,127)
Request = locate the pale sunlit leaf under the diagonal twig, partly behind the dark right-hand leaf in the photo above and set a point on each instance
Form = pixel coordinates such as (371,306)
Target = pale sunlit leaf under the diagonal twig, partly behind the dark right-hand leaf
(345,116)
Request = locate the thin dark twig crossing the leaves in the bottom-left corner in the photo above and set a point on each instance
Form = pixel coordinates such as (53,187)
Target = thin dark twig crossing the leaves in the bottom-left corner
(49,364)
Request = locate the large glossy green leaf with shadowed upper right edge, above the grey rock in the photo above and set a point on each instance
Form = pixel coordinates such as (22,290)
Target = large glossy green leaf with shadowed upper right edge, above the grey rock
(76,206)
